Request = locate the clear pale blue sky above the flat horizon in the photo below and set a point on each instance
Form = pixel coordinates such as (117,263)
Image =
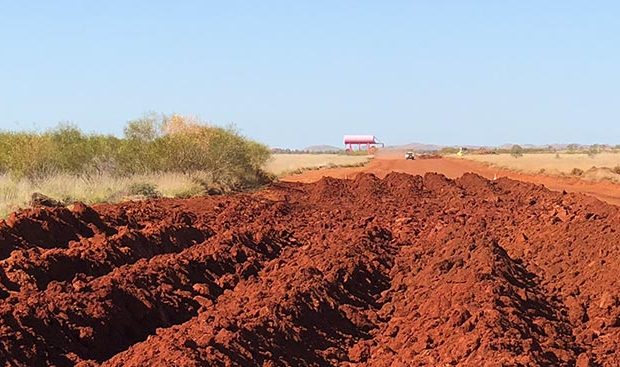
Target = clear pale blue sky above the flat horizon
(295,73)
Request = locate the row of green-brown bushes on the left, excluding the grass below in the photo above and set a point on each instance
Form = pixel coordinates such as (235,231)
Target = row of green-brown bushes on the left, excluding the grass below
(152,144)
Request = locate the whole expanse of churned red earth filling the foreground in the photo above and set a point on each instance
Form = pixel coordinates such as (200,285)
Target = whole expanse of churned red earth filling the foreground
(400,271)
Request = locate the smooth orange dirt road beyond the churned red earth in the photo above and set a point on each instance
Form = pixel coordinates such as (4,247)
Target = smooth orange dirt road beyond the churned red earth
(453,168)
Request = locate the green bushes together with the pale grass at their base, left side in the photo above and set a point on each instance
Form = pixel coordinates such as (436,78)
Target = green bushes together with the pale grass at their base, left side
(155,151)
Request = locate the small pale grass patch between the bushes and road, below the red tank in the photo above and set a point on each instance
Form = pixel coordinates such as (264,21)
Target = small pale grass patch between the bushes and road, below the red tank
(282,164)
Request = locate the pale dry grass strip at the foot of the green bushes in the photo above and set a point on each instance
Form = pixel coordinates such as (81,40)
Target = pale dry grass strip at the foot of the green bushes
(15,194)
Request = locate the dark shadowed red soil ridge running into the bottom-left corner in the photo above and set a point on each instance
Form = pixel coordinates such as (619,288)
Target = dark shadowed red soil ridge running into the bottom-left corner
(97,318)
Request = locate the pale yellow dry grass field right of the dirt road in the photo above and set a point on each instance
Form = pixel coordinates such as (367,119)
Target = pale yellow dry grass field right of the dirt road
(595,167)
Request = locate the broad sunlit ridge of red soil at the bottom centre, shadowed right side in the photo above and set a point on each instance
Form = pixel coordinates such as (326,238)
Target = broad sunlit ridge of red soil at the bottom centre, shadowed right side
(315,317)
